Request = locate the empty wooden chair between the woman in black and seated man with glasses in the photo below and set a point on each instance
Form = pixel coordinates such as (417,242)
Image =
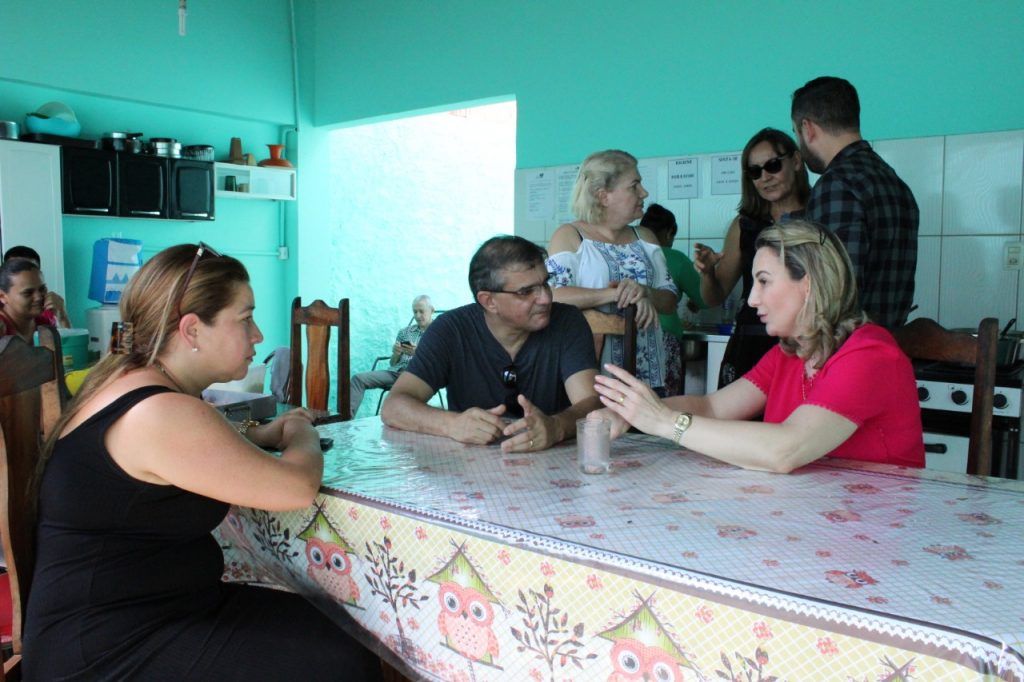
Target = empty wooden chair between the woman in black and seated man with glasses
(318,318)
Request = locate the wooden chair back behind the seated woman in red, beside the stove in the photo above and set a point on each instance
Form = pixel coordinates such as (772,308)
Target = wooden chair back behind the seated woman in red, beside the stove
(926,339)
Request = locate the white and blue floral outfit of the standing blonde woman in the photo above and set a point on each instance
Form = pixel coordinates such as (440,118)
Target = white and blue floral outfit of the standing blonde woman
(594,266)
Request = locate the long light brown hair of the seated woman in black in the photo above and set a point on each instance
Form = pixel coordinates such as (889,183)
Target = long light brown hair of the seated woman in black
(150,305)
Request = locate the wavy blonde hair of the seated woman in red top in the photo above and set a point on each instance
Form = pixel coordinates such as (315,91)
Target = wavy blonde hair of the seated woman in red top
(833,311)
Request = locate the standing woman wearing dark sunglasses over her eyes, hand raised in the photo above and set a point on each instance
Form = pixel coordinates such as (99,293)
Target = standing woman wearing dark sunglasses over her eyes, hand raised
(775,189)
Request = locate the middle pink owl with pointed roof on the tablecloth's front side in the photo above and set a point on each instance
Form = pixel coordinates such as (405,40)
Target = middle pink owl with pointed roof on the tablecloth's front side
(467,616)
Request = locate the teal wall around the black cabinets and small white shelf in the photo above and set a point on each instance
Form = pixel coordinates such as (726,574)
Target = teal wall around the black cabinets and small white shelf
(122,66)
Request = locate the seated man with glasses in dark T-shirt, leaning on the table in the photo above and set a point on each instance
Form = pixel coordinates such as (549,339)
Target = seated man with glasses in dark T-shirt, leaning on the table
(516,364)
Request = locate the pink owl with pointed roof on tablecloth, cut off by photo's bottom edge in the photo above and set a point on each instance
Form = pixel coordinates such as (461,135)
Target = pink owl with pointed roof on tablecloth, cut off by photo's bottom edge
(643,649)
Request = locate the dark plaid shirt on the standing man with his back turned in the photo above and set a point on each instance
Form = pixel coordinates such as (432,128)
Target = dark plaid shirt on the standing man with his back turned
(874,214)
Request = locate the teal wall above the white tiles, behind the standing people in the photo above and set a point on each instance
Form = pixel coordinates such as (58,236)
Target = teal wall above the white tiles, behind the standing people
(662,77)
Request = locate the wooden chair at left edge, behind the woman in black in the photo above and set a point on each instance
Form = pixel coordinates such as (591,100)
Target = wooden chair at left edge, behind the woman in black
(30,406)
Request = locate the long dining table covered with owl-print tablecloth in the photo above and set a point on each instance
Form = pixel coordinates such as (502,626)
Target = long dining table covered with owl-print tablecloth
(472,564)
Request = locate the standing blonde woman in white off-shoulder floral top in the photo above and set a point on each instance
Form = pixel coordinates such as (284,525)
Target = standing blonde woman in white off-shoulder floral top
(601,262)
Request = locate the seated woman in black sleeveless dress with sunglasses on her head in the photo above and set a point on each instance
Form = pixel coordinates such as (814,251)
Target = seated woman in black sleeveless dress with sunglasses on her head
(140,470)
